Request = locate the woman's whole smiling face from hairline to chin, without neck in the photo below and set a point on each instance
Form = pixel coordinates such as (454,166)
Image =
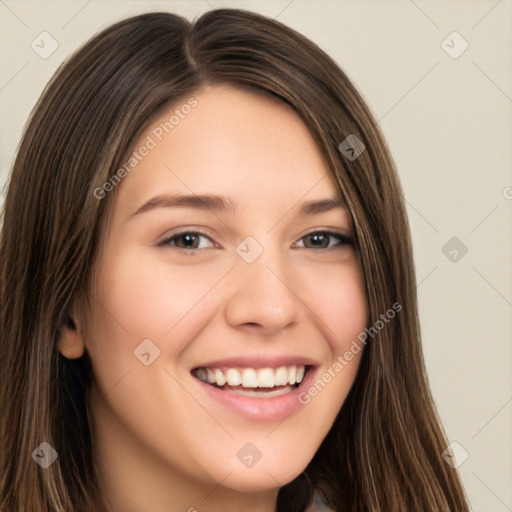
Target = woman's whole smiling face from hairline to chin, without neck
(256,284)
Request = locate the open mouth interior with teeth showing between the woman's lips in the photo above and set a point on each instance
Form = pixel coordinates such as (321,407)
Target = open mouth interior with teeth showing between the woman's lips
(257,382)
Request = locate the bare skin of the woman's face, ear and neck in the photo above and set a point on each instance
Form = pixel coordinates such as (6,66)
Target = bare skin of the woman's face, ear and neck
(162,444)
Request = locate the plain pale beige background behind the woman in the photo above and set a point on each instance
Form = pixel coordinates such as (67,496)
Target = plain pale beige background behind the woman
(448,124)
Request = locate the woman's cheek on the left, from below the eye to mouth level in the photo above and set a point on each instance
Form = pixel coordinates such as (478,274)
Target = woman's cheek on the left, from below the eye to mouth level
(138,301)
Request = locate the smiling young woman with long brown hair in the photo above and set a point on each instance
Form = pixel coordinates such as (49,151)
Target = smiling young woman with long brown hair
(207,286)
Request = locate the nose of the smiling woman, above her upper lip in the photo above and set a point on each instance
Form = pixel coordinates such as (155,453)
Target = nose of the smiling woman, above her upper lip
(263,296)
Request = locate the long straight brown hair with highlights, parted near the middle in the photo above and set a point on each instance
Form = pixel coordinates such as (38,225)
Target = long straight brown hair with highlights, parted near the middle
(383,452)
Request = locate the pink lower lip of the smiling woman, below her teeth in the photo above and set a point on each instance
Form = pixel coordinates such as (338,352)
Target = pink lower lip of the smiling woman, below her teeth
(264,409)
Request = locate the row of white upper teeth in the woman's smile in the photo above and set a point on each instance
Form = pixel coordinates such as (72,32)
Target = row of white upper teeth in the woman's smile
(252,377)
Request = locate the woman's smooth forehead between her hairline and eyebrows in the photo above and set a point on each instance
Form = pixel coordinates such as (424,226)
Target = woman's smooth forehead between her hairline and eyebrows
(229,141)
